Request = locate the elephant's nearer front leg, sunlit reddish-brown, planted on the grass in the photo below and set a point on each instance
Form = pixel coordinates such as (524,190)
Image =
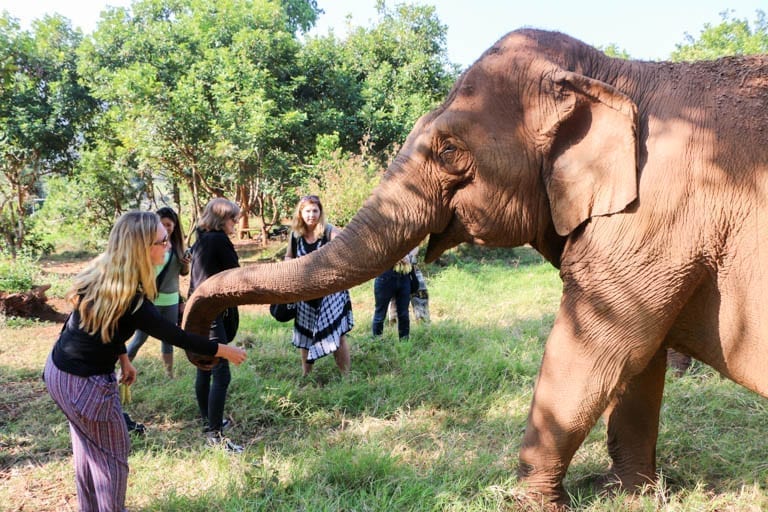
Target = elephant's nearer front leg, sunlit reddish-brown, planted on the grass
(579,377)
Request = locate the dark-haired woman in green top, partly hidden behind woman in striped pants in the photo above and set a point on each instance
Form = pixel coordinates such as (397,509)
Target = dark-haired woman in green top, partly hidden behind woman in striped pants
(167,301)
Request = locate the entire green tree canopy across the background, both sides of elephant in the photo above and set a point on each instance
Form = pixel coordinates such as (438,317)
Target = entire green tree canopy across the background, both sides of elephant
(178,101)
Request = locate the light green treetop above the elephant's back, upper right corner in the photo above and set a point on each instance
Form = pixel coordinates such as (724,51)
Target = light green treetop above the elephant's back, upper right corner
(731,37)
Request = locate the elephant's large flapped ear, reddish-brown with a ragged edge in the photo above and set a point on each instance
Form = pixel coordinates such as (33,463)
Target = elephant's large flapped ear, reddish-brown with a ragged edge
(591,165)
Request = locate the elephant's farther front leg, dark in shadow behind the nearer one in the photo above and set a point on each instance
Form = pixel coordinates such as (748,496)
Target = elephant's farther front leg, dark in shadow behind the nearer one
(633,425)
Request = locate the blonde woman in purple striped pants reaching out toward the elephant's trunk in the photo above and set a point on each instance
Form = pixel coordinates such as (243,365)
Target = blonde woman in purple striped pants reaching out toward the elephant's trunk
(112,298)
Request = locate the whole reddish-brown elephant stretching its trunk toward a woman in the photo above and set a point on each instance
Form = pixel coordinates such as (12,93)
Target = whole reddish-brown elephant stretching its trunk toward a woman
(644,183)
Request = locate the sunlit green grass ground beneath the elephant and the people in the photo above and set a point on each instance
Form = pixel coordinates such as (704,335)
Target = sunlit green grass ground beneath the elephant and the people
(432,423)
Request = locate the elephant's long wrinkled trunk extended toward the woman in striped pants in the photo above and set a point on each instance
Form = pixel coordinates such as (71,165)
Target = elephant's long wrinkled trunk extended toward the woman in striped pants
(398,216)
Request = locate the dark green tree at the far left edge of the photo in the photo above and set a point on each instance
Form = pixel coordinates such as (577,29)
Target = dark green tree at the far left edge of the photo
(43,109)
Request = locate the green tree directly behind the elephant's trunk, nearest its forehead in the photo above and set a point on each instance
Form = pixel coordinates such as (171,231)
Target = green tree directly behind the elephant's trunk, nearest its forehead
(363,94)
